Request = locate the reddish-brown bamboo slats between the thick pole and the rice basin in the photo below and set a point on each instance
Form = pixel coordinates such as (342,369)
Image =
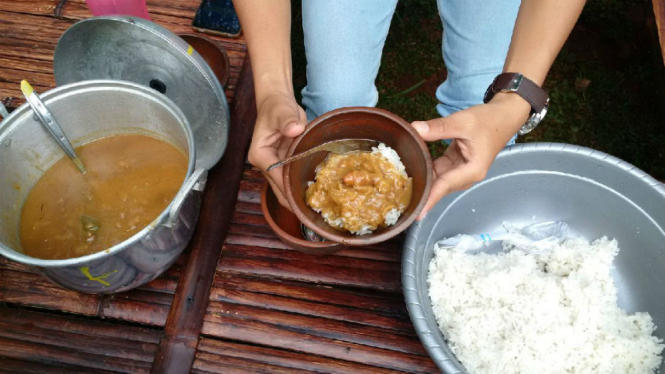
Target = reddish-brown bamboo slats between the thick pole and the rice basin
(273,309)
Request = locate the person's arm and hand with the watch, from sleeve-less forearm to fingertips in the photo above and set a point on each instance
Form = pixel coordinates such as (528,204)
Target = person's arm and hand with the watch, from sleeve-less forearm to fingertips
(481,131)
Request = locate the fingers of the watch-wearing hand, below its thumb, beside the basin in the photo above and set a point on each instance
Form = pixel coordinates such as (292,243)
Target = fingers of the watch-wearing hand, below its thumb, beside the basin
(455,179)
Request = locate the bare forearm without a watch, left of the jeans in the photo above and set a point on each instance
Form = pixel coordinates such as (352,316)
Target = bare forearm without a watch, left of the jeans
(267,29)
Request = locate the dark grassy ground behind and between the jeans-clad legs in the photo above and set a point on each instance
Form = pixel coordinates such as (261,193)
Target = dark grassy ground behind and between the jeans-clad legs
(621,112)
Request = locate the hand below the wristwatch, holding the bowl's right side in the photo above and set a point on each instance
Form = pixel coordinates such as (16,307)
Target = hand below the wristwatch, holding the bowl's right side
(478,134)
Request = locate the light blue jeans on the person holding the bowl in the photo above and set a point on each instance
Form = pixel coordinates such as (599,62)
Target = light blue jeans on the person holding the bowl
(344,40)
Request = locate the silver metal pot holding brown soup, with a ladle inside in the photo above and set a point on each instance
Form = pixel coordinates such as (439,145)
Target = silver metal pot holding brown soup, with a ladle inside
(87,111)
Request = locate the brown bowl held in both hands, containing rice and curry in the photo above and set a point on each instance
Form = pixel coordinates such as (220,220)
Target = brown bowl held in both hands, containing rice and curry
(358,123)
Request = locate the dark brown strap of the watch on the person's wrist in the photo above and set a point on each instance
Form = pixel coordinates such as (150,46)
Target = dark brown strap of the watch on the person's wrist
(519,84)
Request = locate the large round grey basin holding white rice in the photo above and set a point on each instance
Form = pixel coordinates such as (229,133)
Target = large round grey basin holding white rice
(596,194)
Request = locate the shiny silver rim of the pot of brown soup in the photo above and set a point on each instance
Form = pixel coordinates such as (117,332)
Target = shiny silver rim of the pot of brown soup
(68,90)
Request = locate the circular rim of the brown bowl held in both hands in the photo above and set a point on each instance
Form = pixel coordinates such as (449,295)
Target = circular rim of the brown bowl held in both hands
(392,231)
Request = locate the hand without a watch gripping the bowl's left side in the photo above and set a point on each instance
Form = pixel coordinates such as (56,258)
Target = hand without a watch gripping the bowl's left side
(279,119)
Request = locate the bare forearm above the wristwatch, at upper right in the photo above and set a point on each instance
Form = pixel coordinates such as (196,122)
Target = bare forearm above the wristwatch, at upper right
(541,28)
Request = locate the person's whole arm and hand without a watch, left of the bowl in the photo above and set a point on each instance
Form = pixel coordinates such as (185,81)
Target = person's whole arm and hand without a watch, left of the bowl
(267,29)
